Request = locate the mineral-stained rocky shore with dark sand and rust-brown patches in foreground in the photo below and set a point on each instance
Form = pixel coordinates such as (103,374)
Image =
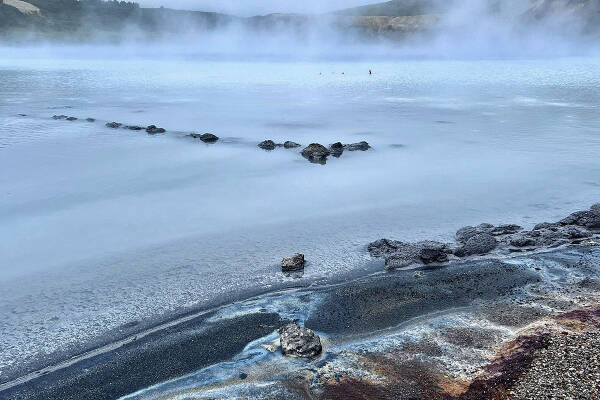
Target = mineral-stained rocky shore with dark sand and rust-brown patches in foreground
(472,325)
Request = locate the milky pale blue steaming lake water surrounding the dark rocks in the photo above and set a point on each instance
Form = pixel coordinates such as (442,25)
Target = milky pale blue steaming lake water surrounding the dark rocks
(104,227)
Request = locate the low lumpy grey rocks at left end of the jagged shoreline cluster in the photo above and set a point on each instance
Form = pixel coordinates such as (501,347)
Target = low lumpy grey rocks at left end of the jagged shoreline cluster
(401,255)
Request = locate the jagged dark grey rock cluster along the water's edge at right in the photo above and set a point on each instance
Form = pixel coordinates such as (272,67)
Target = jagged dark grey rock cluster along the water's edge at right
(486,238)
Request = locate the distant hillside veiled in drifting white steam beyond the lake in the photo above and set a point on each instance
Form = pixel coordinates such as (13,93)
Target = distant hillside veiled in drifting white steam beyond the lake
(114,21)
